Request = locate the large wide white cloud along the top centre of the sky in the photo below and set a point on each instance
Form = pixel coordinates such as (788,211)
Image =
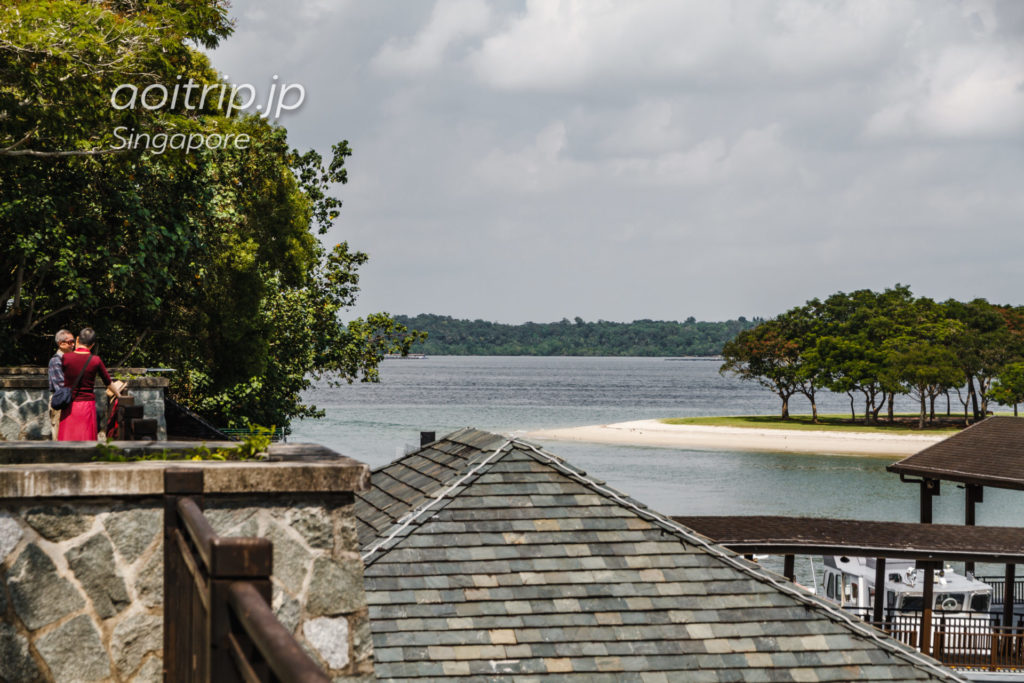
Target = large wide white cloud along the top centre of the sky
(559,45)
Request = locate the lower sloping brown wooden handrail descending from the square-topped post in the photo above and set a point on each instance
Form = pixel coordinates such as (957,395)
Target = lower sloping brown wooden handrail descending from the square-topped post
(279,649)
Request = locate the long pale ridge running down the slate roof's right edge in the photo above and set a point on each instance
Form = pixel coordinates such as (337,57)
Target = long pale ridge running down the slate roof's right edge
(763,576)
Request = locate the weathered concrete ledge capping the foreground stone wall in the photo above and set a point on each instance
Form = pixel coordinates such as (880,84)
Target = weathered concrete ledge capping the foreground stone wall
(290,472)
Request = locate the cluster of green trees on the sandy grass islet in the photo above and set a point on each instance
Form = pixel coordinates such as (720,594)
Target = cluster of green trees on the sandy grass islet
(876,346)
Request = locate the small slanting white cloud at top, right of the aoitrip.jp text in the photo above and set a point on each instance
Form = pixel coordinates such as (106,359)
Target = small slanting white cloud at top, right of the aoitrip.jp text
(450,22)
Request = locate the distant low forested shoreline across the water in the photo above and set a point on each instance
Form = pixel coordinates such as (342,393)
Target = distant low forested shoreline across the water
(449,336)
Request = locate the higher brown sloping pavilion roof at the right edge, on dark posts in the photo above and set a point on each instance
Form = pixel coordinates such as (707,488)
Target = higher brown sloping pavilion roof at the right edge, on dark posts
(990,453)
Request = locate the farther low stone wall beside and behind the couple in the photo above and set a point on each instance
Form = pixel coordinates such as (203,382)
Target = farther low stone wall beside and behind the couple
(25,401)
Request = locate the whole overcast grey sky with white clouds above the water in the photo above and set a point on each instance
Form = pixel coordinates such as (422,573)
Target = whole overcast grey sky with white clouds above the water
(530,161)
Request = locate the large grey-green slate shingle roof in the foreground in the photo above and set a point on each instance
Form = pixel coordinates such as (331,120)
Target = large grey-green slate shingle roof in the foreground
(488,560)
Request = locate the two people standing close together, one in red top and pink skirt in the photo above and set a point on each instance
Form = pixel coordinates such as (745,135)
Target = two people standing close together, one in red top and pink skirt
(76,367)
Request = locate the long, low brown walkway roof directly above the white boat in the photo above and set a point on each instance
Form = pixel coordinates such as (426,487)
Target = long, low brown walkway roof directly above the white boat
(802,536)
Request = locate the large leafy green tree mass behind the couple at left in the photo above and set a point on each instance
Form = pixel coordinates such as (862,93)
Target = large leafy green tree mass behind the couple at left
(205,262)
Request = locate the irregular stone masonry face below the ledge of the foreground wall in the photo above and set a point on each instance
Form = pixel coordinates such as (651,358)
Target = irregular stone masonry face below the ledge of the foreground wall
(81,583)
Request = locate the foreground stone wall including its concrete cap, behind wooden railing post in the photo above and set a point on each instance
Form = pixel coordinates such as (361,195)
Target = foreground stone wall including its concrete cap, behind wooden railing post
(81,560)
